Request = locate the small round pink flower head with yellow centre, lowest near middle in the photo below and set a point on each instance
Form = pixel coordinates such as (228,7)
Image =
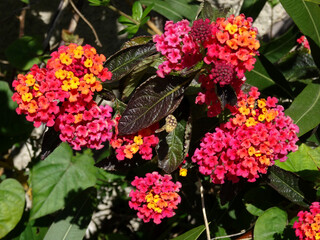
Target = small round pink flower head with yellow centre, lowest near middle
(155,197)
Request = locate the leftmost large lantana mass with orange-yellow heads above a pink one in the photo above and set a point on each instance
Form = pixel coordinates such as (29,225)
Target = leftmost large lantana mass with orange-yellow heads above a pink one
(61,95)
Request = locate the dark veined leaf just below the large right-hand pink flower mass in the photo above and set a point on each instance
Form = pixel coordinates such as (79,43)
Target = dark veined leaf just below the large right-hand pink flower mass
(290,186)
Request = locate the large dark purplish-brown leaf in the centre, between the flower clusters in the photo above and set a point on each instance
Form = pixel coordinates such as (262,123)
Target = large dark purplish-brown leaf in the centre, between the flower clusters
(154,99)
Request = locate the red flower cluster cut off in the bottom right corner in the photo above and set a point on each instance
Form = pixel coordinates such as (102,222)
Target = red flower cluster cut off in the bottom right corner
(308,225)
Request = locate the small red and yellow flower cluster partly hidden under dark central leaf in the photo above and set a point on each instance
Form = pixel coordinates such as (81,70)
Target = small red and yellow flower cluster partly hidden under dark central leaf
(142,142)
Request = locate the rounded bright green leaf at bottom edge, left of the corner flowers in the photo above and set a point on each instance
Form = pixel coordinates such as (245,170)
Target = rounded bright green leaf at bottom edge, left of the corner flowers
(270,224)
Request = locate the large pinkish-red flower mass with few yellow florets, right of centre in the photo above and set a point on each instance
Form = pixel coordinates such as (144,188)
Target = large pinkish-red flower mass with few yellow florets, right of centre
(248,143)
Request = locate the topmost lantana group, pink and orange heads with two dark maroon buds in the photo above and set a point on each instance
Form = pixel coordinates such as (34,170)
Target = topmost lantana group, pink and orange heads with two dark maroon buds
(227,47)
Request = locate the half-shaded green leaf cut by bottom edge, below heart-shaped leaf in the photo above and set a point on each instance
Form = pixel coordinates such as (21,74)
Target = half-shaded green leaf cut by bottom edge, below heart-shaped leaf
(73,221)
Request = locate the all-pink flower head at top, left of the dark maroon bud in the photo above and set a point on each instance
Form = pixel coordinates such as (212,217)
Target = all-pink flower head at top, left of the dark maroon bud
(177,46)
